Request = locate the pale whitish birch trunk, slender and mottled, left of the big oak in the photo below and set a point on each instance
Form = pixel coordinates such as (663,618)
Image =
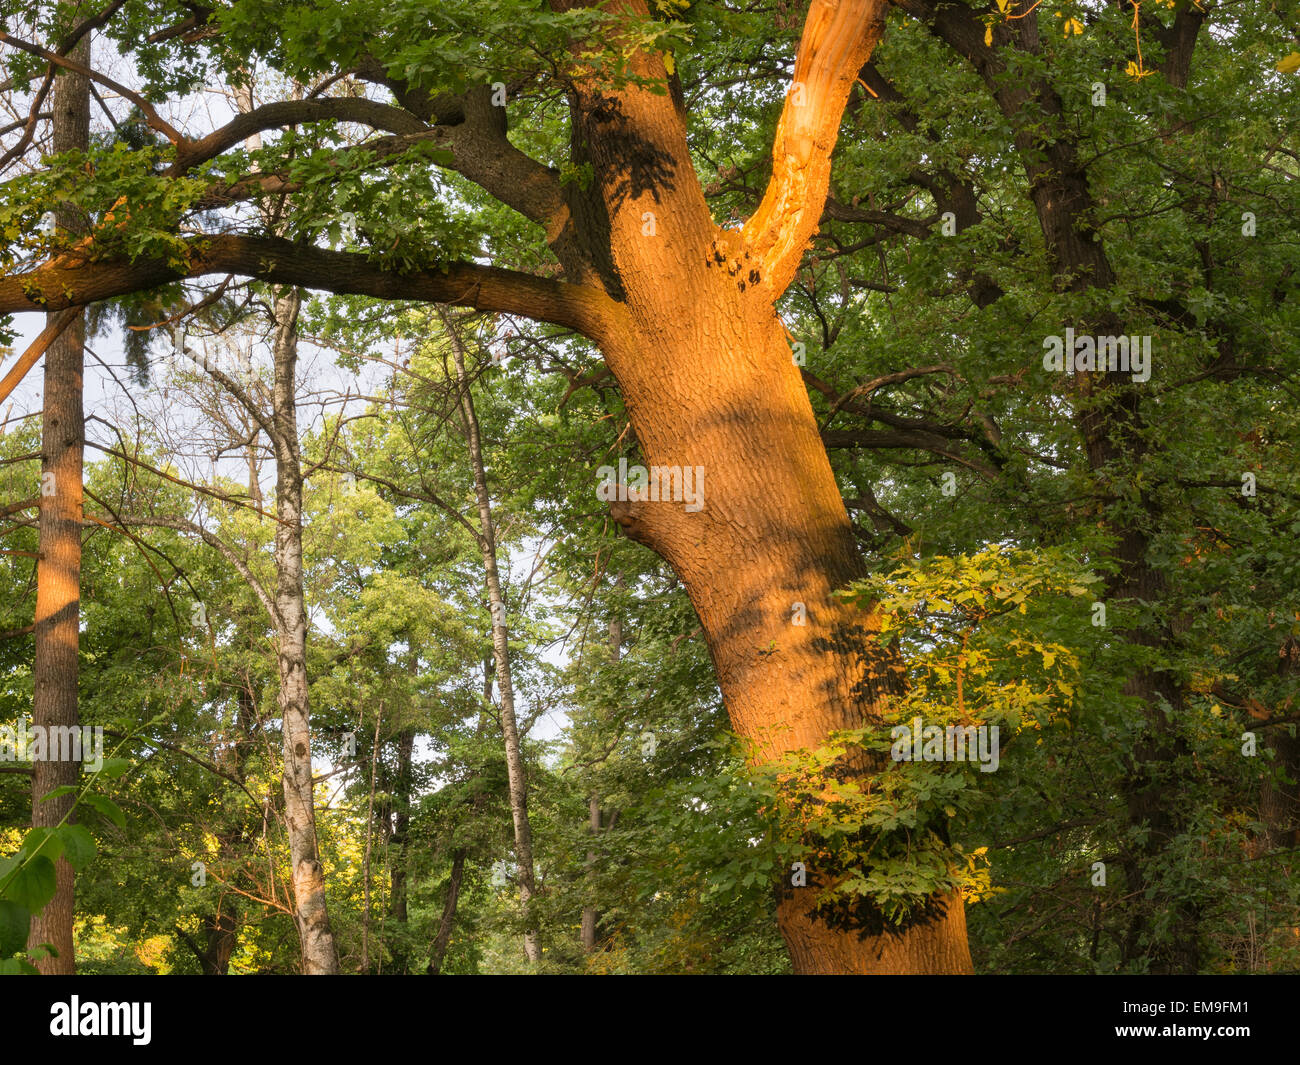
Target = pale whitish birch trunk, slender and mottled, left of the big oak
(319,954)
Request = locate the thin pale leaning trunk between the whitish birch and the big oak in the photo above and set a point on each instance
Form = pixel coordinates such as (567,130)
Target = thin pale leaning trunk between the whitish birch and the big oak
(501,652)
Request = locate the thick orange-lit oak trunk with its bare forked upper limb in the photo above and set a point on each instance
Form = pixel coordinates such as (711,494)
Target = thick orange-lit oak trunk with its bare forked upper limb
(705,367)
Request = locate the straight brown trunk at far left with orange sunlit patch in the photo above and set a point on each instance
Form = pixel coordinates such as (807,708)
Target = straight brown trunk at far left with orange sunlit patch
(59,568)
